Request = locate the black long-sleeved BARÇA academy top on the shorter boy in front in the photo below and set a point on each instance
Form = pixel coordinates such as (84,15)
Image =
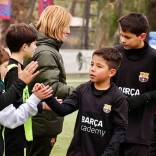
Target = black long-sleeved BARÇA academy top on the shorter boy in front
(101,121)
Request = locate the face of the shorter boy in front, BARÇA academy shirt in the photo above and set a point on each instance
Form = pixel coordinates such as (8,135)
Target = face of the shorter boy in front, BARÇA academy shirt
(99,70)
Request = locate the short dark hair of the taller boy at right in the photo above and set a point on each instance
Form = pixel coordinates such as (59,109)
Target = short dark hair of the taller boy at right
(135,23)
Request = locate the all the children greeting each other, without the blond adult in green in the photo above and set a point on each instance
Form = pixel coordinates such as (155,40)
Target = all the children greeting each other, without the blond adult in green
(108,123)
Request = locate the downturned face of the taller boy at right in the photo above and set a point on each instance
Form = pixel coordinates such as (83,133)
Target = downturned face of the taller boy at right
(132,41)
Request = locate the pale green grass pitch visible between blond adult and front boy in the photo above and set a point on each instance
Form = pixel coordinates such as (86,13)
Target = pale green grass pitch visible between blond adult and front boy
(64,138)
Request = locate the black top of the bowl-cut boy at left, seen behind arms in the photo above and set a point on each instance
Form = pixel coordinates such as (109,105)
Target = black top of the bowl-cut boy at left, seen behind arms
(14,138)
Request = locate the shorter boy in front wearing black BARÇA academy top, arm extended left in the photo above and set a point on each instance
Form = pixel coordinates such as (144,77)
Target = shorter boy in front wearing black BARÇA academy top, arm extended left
(102,109)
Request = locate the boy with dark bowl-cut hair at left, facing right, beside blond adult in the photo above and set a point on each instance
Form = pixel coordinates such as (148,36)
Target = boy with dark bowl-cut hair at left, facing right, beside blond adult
(21,41)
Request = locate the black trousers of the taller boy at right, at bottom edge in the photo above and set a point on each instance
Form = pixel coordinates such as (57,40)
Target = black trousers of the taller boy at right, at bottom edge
(130,149)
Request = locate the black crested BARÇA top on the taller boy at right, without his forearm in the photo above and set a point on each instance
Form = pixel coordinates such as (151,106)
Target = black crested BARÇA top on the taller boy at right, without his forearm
(136,76)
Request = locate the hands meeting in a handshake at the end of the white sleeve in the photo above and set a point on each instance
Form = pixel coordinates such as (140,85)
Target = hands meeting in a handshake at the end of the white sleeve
(42,91)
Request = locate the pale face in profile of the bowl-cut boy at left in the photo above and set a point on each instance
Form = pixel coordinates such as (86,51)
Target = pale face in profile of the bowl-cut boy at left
(29,49)
